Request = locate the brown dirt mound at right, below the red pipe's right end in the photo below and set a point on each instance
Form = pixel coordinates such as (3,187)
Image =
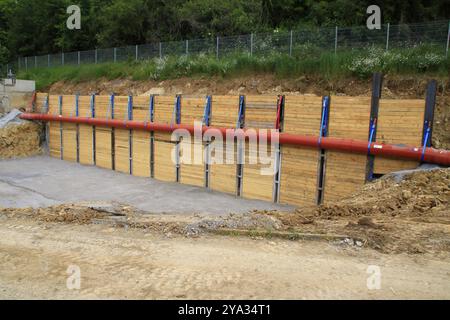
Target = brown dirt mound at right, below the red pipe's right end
(418,193)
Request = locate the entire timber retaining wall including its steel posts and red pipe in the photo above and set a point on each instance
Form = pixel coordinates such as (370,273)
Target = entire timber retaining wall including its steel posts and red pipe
(328,146)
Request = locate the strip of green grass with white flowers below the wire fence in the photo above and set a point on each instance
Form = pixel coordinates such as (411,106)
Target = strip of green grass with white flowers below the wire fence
(310,61)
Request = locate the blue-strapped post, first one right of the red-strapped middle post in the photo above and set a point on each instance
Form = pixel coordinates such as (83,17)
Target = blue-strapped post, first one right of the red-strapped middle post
(324,124)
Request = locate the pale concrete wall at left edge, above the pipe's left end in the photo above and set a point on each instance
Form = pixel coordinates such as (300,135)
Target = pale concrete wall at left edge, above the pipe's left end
(15,96)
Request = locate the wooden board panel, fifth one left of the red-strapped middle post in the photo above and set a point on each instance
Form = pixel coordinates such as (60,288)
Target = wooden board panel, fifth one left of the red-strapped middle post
(141,139)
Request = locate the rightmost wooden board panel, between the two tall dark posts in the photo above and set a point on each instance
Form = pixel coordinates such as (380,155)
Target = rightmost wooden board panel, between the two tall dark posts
(399,122)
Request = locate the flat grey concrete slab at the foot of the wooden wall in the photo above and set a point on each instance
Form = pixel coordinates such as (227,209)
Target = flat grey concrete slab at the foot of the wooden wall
(41,181)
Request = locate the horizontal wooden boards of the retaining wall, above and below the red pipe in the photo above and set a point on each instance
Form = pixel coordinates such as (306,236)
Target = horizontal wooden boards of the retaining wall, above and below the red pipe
(298,175)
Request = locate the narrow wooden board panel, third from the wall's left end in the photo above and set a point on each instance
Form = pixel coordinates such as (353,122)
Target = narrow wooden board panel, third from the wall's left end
(69,129)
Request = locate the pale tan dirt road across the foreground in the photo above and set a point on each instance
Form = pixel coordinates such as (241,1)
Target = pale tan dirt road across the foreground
(129,263)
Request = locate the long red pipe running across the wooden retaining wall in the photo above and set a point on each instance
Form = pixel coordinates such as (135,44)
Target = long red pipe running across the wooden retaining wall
(430,155)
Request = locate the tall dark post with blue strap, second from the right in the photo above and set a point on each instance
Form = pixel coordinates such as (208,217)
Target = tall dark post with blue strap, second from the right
(377,87)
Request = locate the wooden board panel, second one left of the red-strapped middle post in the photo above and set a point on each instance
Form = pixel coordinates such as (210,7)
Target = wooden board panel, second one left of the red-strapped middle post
(224,113)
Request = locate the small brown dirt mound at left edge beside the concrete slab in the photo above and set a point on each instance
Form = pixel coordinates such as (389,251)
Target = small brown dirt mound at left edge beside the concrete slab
(20,139)
